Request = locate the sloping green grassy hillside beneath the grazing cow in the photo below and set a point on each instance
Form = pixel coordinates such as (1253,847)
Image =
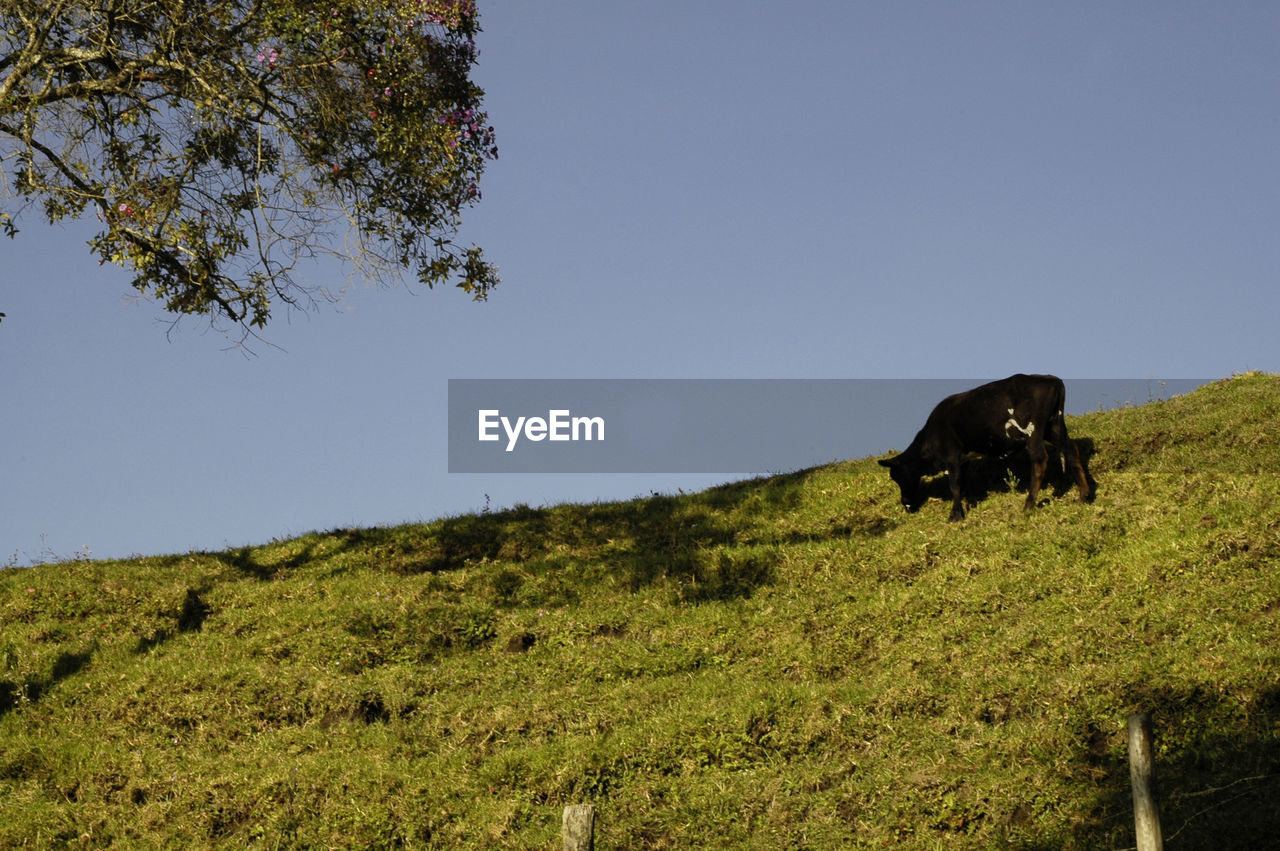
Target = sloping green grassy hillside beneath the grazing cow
(788,662)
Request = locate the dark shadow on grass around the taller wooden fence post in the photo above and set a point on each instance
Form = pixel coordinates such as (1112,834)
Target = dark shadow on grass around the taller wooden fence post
(1218,772)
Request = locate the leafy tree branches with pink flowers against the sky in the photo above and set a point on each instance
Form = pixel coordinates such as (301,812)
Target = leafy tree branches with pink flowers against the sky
(221,143)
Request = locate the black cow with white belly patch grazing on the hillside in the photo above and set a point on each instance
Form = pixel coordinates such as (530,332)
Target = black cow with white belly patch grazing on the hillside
(991,420)
